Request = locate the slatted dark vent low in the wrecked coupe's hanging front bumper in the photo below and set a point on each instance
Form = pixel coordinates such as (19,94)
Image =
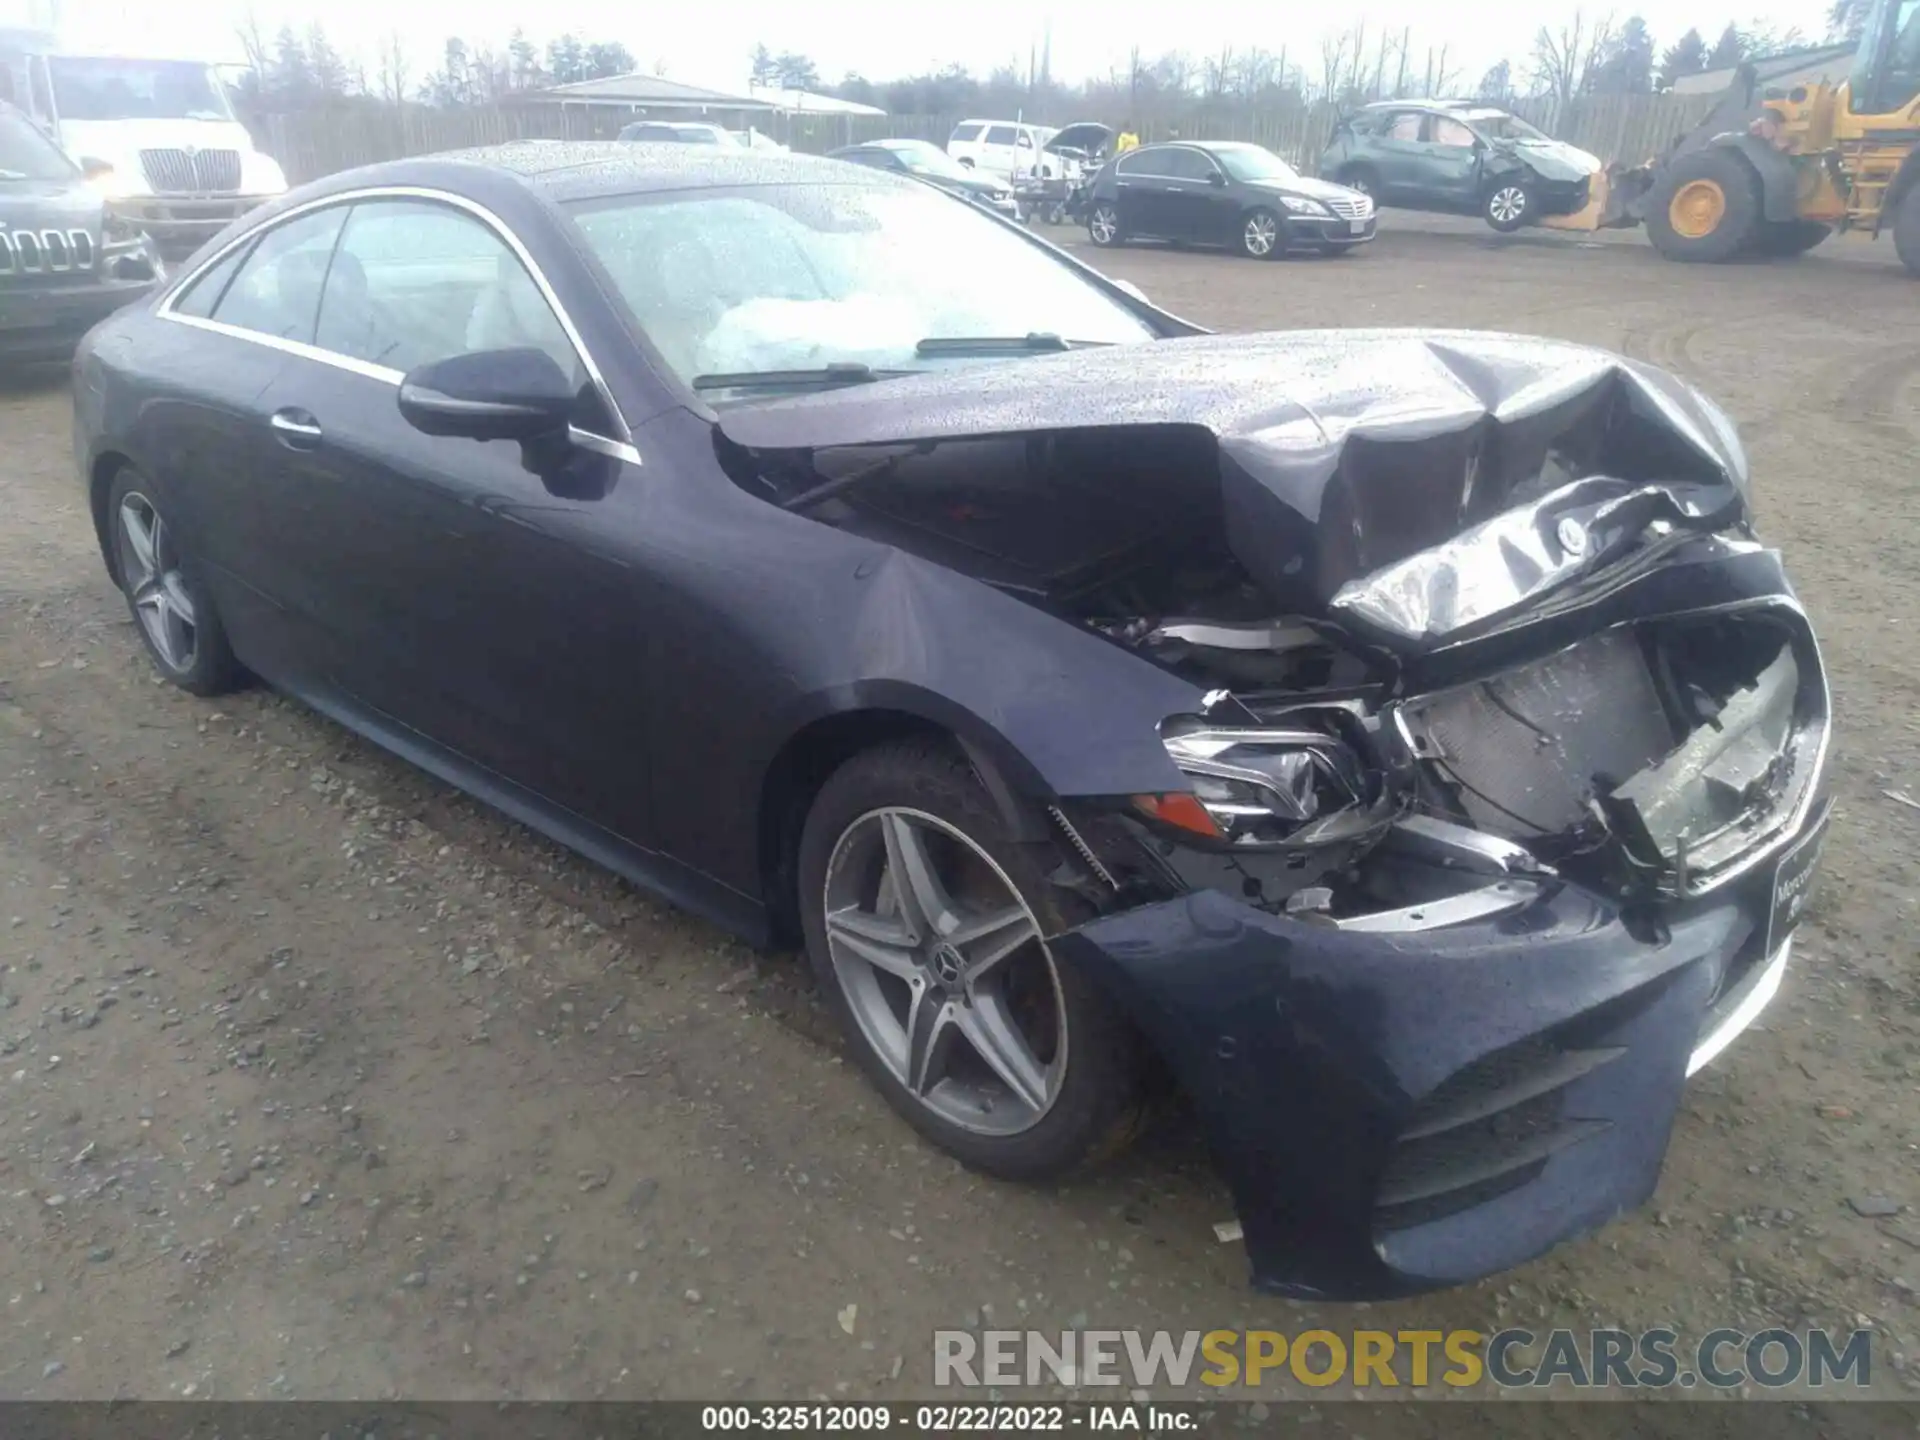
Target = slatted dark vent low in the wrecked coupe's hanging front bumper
(1485,1132)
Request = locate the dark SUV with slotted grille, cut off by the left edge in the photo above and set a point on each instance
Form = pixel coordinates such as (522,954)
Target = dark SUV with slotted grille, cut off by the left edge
(64,266)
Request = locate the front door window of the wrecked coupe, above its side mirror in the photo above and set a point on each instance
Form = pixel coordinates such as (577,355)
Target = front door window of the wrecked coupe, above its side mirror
(416,283)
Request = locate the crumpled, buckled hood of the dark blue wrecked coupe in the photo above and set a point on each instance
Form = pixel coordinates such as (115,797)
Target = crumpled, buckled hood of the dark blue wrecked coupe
(1410,485)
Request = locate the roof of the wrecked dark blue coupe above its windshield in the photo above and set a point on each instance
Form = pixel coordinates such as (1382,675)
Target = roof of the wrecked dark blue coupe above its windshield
(585,170)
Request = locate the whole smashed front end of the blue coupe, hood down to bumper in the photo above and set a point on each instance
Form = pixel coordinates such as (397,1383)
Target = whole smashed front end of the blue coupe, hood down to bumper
(1506,750)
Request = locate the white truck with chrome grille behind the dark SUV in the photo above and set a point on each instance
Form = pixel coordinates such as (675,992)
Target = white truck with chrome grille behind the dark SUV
(156,137)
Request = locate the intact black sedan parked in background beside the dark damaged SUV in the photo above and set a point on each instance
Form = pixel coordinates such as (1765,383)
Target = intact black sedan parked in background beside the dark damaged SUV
(1224,195)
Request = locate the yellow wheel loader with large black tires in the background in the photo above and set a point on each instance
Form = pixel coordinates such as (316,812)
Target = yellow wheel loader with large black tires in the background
(1777,172)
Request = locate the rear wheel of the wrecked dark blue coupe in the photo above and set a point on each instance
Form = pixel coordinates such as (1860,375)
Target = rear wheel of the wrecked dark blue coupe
(201,660)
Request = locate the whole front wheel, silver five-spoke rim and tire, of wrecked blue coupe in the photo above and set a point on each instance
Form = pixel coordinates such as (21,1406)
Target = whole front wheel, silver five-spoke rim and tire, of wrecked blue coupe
(926,926)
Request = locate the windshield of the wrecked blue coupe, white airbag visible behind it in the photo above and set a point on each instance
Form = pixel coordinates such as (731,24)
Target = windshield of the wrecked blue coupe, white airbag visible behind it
(798,277)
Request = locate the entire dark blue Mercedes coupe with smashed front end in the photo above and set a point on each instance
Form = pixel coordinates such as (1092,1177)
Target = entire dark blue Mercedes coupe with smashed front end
(1093,700)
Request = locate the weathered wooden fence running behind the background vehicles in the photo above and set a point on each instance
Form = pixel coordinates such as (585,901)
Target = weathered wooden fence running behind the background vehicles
(316,143)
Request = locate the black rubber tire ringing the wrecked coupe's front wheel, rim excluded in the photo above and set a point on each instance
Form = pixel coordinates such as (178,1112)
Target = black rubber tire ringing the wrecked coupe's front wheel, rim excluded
(1101,1101)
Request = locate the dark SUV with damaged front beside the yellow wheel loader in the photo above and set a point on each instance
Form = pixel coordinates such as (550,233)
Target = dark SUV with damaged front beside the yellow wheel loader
(1458,158)
